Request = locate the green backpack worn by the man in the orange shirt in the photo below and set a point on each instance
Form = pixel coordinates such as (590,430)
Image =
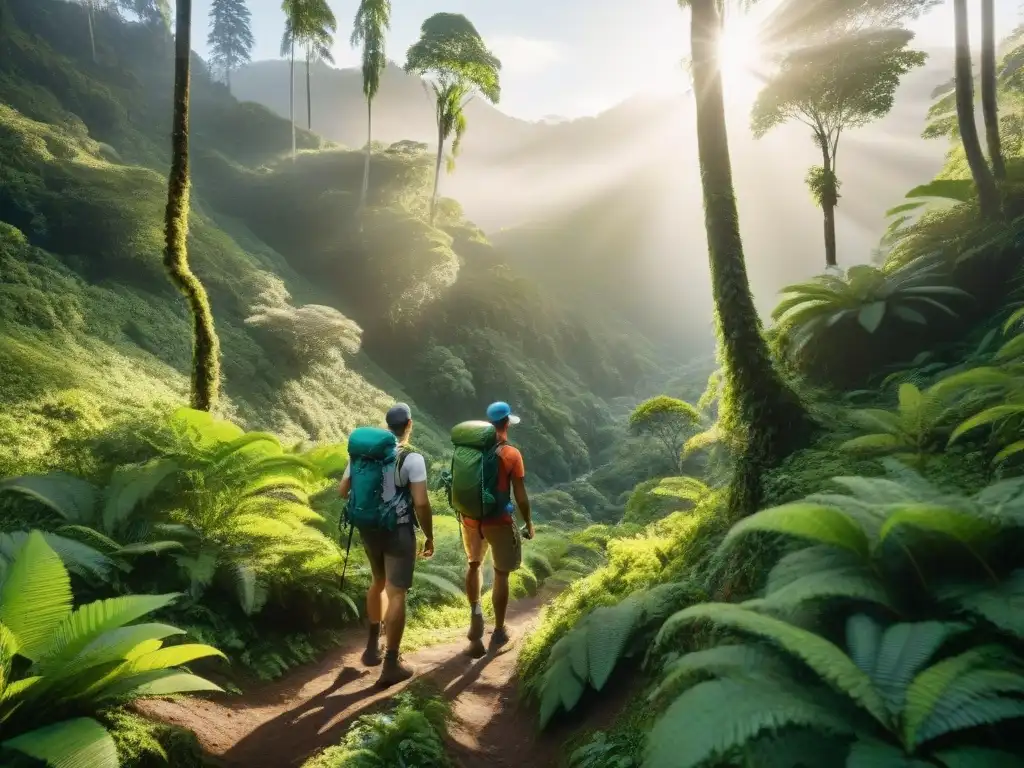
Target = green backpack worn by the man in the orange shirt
(473,483)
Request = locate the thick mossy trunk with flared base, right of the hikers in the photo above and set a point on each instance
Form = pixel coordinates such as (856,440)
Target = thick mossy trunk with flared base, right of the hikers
(758,411)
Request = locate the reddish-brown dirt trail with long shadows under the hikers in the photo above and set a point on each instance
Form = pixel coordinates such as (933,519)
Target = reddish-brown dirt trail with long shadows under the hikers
(282,724)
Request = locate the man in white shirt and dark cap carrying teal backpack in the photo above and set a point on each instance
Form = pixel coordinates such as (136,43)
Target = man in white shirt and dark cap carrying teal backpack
(386,484)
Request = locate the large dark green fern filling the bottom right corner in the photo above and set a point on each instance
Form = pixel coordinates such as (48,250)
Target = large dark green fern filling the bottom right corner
(893,696)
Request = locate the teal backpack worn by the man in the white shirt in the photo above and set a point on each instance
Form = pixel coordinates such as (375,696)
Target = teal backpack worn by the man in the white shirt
(373,454)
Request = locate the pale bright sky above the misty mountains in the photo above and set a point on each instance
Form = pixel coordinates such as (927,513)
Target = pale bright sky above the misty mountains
(567,58)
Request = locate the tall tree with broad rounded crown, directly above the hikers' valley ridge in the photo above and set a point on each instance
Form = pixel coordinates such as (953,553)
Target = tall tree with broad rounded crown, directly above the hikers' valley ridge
(452,54)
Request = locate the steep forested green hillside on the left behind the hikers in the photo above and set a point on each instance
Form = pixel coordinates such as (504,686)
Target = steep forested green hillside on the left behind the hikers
(321,313)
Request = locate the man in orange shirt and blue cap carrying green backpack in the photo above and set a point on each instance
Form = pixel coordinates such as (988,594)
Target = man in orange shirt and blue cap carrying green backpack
(487,475)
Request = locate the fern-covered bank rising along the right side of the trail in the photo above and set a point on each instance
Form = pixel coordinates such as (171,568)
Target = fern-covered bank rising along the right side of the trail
(868,619)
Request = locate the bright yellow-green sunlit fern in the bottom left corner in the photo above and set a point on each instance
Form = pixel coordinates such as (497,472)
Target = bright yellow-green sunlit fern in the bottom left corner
(77,661)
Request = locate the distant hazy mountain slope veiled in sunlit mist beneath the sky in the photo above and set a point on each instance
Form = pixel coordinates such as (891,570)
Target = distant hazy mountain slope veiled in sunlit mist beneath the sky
(565,202)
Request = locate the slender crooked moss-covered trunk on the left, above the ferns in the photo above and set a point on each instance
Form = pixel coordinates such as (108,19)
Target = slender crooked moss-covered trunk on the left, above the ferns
(206,348)
